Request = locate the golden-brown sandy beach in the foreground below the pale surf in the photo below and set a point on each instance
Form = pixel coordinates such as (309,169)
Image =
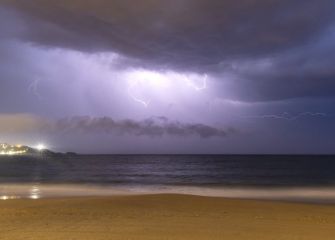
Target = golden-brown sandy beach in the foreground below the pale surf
(163,217)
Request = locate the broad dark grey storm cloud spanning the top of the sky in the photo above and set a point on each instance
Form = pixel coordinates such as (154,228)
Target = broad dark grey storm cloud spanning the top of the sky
(192,32)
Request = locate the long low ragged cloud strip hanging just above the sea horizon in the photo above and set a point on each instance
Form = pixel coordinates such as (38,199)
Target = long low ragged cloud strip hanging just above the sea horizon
(152,127)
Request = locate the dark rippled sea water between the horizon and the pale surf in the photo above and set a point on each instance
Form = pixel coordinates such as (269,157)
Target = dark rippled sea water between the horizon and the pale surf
(172,170)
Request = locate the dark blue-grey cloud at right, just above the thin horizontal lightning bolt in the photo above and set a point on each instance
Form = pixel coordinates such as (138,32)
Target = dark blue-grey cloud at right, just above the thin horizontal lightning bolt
(304,72)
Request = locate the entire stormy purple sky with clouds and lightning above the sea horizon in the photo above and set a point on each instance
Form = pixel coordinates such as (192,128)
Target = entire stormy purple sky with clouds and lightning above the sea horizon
(177,76)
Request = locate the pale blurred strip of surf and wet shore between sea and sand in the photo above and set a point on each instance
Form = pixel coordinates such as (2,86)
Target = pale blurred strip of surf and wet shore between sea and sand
(320,195)
